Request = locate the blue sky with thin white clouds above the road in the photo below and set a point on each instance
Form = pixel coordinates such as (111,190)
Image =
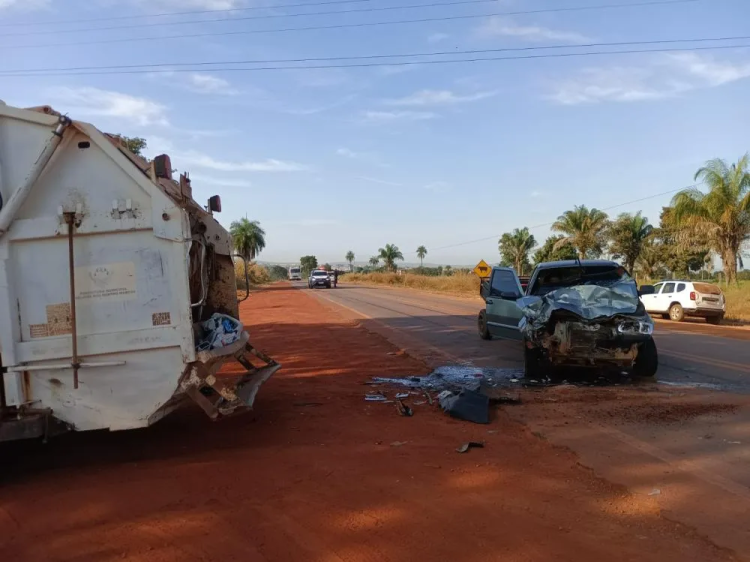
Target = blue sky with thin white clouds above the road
(330,160)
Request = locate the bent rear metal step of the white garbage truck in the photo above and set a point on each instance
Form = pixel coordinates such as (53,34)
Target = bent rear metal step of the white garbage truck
(221,395)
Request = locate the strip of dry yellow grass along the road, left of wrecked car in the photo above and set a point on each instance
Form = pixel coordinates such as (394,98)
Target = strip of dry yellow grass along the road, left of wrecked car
(459,284)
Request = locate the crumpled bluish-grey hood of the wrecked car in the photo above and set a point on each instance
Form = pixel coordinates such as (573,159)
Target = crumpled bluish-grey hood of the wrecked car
(589,302)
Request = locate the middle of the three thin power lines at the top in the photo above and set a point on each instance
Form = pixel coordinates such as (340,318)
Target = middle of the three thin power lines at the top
(254,18)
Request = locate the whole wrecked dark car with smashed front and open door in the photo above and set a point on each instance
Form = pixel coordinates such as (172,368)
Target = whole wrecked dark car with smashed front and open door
(579,313)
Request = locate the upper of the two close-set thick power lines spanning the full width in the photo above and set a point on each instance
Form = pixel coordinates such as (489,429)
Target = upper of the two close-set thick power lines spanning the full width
(381,56)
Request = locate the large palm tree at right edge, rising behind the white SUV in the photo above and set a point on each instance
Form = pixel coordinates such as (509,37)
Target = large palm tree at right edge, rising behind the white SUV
(723,214)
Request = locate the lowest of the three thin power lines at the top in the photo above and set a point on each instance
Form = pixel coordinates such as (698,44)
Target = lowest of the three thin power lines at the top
(353,25)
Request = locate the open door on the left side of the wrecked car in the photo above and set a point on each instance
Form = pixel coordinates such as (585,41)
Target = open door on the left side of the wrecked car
(503,314)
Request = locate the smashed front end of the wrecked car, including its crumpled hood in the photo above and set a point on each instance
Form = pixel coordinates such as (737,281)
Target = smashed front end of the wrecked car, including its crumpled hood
(588,325)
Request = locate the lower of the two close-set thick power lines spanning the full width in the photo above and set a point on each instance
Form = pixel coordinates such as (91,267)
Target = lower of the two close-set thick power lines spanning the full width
(379,64)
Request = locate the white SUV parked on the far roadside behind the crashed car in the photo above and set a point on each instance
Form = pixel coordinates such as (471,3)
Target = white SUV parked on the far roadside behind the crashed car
(676,299)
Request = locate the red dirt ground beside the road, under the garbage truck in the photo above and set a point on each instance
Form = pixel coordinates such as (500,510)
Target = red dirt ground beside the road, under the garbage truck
(318,474)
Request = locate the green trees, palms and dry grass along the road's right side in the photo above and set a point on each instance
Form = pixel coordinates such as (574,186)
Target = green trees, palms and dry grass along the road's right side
(701,226)
